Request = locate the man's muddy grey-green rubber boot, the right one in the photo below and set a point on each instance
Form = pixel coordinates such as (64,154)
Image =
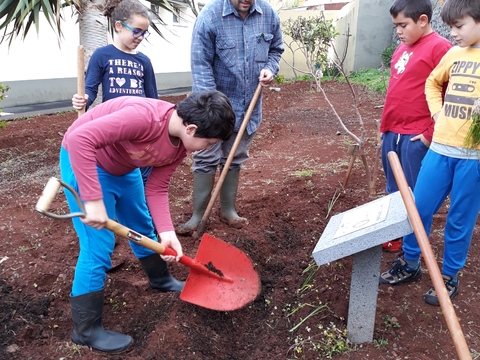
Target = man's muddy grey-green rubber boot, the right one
(228,196)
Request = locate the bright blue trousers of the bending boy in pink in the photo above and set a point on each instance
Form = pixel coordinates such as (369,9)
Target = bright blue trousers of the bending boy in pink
(124,199)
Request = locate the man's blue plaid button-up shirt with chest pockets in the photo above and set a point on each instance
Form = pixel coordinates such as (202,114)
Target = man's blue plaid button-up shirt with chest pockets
(229,52)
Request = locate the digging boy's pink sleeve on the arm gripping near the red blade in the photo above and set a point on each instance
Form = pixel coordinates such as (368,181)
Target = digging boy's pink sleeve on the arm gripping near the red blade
(156,192)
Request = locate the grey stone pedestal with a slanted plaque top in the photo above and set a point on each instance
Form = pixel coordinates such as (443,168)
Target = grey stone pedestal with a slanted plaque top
(361,232)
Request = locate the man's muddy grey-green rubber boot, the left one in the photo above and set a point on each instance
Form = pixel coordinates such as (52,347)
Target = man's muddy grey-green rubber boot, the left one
(202,189)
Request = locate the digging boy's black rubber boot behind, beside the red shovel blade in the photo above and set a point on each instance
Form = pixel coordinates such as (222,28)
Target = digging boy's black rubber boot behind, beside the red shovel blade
(159,278)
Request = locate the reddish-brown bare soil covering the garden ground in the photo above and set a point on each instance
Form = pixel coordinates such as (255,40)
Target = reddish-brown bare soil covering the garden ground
(297,162)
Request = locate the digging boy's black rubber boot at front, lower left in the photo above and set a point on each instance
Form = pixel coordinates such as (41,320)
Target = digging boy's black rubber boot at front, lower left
(87,325)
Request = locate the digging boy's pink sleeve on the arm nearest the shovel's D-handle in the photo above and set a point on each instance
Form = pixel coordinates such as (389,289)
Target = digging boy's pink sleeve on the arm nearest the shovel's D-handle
(128,123)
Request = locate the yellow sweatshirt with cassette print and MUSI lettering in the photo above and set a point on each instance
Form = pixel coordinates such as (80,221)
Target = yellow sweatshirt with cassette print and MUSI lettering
(461,68)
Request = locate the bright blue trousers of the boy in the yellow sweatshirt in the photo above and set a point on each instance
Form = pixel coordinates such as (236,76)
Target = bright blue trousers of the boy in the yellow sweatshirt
(442,175)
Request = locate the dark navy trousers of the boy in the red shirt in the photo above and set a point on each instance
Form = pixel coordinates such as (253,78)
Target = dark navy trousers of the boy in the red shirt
(410,154)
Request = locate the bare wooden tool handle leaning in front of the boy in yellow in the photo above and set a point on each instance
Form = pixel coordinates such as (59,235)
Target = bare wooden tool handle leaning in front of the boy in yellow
(433,270)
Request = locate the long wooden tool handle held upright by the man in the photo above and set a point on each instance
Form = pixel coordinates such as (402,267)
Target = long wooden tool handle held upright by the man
(199,231)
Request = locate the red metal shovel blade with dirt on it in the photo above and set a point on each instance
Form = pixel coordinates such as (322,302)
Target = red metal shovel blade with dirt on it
(237,285)
